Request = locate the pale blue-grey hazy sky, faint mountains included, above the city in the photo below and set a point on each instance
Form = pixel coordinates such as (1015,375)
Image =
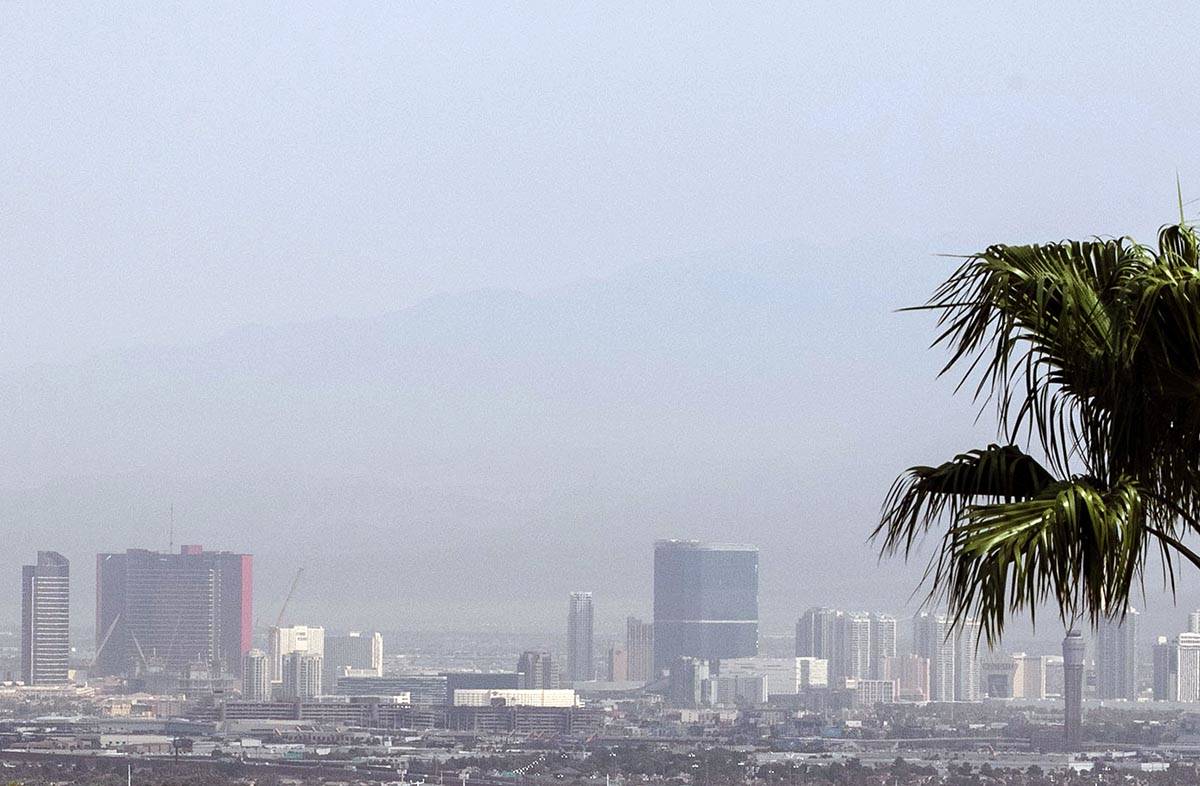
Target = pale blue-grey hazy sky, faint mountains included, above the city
(463,308)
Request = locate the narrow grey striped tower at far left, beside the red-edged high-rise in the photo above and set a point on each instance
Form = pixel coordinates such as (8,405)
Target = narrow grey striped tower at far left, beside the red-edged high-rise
(45,620)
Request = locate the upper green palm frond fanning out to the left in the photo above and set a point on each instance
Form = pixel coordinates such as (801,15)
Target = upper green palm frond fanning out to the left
(1041,327)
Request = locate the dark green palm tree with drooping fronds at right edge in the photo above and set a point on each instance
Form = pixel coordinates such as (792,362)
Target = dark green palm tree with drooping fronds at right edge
(1090,352)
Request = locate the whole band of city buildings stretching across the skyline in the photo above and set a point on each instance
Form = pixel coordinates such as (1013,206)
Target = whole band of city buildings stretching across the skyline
(182,622)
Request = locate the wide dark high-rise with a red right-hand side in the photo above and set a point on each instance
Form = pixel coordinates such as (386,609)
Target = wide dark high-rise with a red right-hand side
(173,610)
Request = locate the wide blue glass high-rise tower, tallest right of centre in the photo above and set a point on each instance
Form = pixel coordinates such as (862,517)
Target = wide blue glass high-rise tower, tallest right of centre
(706,602)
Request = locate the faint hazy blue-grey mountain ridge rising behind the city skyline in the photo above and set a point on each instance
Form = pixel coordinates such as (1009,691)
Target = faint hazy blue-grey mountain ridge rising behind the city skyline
(481,454)
